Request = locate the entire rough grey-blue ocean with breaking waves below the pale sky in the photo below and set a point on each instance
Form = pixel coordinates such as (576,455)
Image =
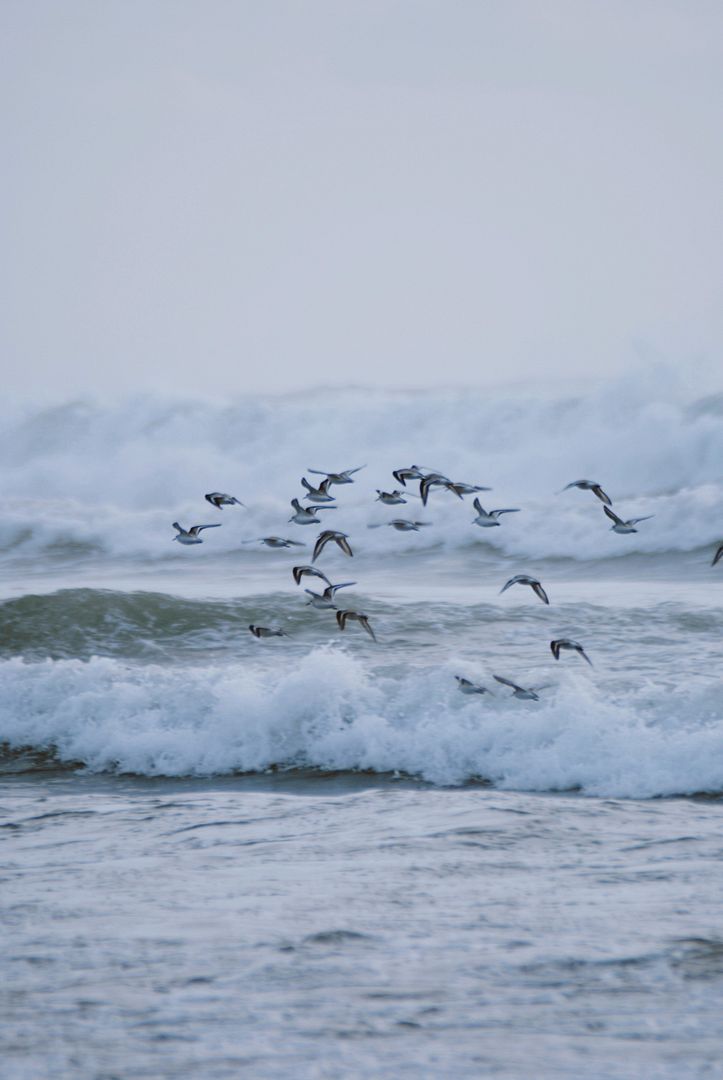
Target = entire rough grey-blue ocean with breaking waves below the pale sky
(311,856)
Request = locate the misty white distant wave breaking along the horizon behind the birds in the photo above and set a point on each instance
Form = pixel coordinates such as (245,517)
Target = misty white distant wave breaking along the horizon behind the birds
(85,479)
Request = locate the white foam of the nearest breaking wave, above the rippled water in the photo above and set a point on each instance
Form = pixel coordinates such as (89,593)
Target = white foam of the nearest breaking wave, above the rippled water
(203,722)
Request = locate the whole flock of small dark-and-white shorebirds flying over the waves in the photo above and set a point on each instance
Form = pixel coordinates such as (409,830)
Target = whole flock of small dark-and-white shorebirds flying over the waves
(319,498)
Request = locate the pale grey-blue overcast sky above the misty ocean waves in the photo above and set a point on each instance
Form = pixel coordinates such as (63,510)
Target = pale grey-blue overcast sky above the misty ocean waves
(218,197)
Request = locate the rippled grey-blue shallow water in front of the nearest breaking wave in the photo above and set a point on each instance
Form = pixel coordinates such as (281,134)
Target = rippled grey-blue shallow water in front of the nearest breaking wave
(327,927)
